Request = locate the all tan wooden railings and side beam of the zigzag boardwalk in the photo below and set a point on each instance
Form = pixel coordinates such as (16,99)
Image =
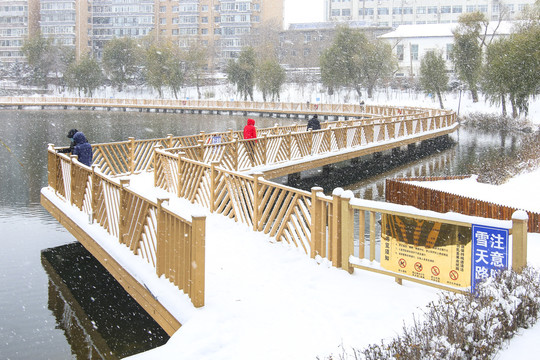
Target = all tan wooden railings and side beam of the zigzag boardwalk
(227,175)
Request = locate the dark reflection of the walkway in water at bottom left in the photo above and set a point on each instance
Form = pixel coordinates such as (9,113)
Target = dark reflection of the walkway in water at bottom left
(100,320)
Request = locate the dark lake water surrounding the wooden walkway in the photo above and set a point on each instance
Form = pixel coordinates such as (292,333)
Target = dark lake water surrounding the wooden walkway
(52,303)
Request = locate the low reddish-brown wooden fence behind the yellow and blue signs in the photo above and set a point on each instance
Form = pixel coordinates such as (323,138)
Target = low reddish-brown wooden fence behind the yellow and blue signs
(398,191)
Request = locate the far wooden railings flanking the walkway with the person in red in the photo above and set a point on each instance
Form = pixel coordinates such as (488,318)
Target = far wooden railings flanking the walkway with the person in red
(275,144)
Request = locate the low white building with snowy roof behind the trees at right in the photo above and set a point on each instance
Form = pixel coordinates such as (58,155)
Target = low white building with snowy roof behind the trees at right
(411,42)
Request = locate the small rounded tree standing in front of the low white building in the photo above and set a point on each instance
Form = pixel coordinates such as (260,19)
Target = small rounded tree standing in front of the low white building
(433,77)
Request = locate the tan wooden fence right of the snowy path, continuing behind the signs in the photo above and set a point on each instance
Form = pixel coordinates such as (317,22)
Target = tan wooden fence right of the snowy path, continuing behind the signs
(344,230)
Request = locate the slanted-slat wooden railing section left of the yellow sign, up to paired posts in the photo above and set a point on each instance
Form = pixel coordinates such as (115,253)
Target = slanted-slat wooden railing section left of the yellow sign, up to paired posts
(280,211)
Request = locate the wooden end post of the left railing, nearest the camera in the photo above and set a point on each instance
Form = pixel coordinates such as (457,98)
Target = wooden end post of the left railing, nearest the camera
(198,233)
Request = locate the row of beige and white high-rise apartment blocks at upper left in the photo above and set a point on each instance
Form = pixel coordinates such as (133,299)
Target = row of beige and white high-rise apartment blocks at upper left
(87,25)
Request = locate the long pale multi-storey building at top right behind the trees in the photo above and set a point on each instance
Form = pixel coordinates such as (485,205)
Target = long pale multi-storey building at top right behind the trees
(414,12)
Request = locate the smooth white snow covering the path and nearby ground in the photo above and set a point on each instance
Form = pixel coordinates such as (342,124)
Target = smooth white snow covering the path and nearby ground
(268,300)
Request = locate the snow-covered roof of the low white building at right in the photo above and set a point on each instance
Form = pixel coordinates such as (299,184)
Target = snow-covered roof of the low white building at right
(441,30)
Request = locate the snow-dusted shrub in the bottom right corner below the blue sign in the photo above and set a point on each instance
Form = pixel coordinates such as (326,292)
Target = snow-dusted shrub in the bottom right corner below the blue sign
(467,326)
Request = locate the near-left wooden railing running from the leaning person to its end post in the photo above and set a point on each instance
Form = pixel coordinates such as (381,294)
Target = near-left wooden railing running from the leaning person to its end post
(150,229)
